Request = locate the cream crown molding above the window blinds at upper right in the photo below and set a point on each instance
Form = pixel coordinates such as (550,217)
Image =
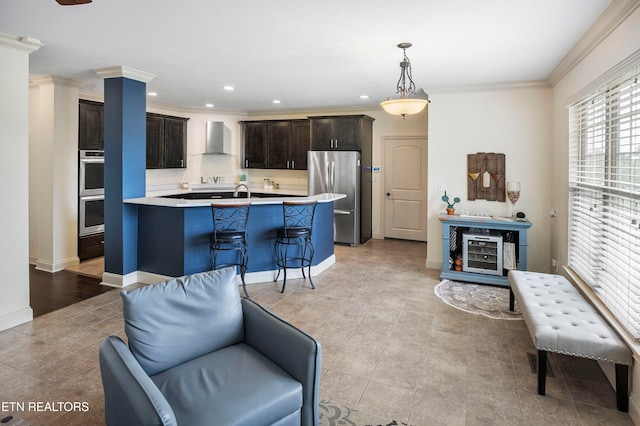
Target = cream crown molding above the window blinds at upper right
(610,19)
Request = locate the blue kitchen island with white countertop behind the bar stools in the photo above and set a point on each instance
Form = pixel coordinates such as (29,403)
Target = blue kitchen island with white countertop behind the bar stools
(173,234)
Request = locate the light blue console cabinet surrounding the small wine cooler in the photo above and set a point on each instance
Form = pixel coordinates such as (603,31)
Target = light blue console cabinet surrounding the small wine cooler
(473,224)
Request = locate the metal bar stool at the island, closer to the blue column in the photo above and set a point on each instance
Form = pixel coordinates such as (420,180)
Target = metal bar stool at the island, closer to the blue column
(230,234)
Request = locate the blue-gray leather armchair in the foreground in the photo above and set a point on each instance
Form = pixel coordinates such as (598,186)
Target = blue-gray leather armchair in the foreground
(200,355)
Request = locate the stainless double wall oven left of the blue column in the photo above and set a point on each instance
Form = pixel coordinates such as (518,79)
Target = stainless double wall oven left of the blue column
(91,193)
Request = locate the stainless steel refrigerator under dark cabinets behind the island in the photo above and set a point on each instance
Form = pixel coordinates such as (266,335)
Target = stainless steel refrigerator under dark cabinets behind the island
(339,172)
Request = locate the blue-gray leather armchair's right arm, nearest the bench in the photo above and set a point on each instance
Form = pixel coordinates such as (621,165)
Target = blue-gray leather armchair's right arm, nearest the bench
(291,349)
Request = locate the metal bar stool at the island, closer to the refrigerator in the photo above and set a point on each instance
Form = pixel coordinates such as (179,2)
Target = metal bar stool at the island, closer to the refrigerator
(296,235)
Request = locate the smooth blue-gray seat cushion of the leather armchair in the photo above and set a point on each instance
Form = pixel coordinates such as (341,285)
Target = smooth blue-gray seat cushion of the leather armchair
(230,387)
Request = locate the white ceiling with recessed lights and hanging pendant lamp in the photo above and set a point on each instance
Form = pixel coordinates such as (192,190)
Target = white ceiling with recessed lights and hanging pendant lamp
(309,55)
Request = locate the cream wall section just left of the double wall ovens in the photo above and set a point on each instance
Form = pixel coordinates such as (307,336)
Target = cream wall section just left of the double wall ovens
(53,173)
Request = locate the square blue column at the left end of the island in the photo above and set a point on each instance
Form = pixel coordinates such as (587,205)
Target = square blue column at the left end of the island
(125,162)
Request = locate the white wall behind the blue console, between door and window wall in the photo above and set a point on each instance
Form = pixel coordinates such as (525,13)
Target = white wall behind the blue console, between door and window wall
(515,122)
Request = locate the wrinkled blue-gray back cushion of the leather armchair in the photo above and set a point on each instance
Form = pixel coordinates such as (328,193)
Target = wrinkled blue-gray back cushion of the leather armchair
(170,323)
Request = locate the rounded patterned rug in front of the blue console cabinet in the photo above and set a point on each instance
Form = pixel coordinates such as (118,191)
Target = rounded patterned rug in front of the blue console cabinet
(480,299)
